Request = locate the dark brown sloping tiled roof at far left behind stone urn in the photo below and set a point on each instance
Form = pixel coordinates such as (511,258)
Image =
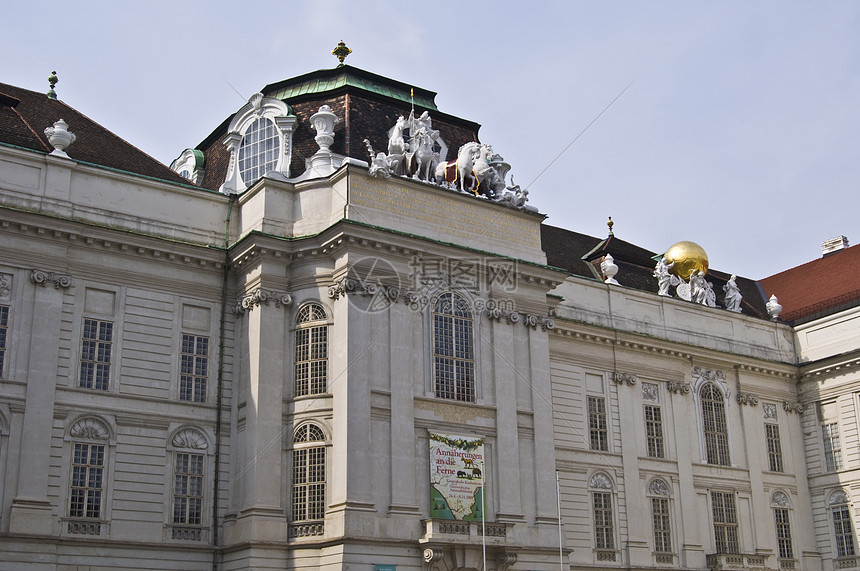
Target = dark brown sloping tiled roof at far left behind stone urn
(25,114)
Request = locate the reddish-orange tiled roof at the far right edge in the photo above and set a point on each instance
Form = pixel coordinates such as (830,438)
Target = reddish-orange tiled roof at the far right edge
(818,287)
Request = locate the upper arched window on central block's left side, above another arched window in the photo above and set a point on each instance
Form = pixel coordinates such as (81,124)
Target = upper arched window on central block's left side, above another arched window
(311,367)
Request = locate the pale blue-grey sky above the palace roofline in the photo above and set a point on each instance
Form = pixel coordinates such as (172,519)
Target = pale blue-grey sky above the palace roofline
(740,131)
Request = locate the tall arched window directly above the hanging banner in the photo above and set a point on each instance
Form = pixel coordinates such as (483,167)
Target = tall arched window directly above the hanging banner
(453,348)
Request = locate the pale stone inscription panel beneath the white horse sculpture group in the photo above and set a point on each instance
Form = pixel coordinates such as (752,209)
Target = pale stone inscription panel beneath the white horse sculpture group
(447,217)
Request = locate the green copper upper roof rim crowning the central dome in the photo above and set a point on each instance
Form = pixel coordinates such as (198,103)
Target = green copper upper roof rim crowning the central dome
(327,80)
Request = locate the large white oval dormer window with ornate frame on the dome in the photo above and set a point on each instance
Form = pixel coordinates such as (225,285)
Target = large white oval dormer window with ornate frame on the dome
(260,140)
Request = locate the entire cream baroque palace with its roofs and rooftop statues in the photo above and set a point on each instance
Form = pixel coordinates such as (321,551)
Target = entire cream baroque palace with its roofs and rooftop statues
(290,350)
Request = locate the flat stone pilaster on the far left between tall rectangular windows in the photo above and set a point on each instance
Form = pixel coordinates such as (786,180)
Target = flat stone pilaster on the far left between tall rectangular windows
(31,508)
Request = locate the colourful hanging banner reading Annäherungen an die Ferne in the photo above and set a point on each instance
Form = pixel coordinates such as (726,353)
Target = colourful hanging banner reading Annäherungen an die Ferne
(455,477)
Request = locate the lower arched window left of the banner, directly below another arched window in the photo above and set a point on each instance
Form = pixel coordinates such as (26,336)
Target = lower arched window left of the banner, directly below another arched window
(307,498)
